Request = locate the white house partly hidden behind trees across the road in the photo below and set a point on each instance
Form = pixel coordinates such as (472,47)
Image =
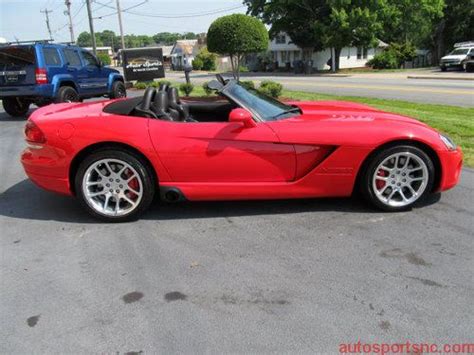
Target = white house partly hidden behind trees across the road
(284,51)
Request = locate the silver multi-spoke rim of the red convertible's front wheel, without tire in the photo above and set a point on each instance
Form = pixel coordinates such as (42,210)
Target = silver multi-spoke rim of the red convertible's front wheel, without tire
(400,179)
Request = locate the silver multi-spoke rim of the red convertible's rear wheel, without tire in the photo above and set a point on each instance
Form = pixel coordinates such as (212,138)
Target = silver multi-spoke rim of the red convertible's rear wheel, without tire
(112,187)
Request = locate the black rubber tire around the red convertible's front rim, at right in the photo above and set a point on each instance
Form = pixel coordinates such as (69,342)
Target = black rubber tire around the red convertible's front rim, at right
(366,183)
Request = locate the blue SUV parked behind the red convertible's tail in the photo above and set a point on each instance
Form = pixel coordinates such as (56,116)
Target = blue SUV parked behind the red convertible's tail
(44,73)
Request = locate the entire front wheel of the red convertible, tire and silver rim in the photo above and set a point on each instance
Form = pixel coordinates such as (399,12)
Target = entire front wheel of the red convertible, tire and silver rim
(398,177)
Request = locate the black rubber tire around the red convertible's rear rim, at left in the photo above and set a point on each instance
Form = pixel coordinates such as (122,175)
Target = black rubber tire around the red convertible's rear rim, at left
(143,170)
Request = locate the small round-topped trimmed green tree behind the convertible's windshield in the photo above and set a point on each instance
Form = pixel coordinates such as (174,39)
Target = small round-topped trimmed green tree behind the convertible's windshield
(237,35)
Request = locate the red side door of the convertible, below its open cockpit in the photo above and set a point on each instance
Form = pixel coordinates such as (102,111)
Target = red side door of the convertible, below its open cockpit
(224,152)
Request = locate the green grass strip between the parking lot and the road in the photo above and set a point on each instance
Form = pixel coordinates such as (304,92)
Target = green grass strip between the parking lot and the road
(457,122)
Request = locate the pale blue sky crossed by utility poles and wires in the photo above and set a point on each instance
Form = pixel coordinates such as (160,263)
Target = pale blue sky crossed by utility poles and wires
(22,19)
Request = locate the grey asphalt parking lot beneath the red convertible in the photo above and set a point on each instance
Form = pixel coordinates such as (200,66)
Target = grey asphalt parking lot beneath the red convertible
(243,277)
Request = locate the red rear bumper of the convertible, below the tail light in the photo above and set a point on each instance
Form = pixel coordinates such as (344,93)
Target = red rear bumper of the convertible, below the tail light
(46,169)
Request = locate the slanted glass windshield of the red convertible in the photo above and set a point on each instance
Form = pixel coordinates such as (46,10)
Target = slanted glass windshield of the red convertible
(267,108)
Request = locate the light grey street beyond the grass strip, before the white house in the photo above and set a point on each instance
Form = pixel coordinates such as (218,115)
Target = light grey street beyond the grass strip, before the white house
(385,86)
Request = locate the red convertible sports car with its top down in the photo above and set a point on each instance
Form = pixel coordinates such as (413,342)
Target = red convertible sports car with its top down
(115,156)
